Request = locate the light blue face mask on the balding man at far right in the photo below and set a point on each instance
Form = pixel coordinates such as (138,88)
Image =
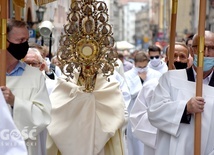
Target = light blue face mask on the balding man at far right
(208,62)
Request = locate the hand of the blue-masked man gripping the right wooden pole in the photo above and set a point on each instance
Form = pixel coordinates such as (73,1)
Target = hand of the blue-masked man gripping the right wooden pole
(195,105)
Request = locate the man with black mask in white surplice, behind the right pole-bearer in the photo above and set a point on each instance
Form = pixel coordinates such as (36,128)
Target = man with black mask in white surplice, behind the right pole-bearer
(141,127)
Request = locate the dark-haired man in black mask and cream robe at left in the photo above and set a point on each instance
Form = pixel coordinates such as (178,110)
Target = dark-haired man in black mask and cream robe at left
(25,91)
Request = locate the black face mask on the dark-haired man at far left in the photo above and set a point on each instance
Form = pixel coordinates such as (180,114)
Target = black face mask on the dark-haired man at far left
(18,51)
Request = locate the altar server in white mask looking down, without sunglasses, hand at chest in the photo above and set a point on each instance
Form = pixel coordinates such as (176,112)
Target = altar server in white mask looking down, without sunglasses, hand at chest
(135,78)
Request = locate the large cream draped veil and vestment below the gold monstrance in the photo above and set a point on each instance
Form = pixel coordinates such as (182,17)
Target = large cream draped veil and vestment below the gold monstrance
(86,123)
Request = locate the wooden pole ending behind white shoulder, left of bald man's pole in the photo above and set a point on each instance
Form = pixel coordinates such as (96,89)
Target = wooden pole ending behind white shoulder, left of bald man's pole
(172,33)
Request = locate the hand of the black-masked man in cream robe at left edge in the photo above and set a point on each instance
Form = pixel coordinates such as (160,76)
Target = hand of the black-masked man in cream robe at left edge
(8,95)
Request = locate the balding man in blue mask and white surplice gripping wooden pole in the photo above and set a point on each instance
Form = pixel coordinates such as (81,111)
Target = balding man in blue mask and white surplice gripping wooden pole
(174,104)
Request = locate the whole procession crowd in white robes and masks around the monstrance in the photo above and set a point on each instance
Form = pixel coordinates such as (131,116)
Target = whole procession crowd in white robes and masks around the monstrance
(145,109)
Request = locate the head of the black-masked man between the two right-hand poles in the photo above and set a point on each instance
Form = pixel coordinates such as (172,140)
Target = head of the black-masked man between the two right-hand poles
(181,55)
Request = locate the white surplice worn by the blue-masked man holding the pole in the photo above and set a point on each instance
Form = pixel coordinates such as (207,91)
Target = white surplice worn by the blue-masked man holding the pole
(166,110)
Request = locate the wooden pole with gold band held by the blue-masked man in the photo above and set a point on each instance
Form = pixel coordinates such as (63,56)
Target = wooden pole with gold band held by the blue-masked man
(199,80)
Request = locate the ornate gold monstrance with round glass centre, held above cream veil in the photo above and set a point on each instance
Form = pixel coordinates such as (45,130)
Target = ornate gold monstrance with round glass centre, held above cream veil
(87,43)
